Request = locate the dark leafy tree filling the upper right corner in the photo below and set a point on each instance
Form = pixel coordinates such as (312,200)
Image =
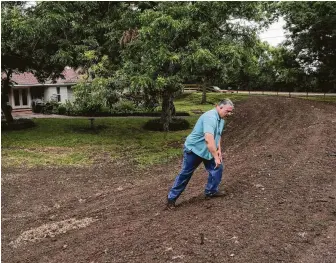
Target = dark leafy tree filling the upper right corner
(313,37)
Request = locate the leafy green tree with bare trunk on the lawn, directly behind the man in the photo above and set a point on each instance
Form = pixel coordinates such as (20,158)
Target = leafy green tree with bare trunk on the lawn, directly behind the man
(153,56)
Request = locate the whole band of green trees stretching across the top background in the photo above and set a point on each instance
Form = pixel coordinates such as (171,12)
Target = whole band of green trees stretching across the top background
(154,47)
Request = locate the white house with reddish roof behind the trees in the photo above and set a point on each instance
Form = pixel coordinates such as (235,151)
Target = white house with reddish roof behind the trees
(26,88)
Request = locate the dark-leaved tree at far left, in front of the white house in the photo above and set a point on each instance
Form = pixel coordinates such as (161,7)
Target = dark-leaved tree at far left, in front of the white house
(29,43)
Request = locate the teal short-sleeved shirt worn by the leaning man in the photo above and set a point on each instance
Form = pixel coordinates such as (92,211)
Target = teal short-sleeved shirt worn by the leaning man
(209,122)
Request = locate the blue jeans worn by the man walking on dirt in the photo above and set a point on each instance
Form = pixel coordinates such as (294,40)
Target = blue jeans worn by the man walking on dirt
(190,162)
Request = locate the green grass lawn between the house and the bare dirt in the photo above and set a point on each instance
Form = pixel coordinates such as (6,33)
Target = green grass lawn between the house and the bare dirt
(70,142)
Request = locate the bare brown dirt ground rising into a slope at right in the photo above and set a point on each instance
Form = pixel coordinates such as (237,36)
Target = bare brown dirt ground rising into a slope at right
(280,207)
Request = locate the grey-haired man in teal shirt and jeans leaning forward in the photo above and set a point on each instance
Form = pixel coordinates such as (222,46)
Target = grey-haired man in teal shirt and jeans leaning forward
(203,145)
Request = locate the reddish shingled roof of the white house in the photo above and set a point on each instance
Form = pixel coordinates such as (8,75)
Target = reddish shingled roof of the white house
(27,78)
